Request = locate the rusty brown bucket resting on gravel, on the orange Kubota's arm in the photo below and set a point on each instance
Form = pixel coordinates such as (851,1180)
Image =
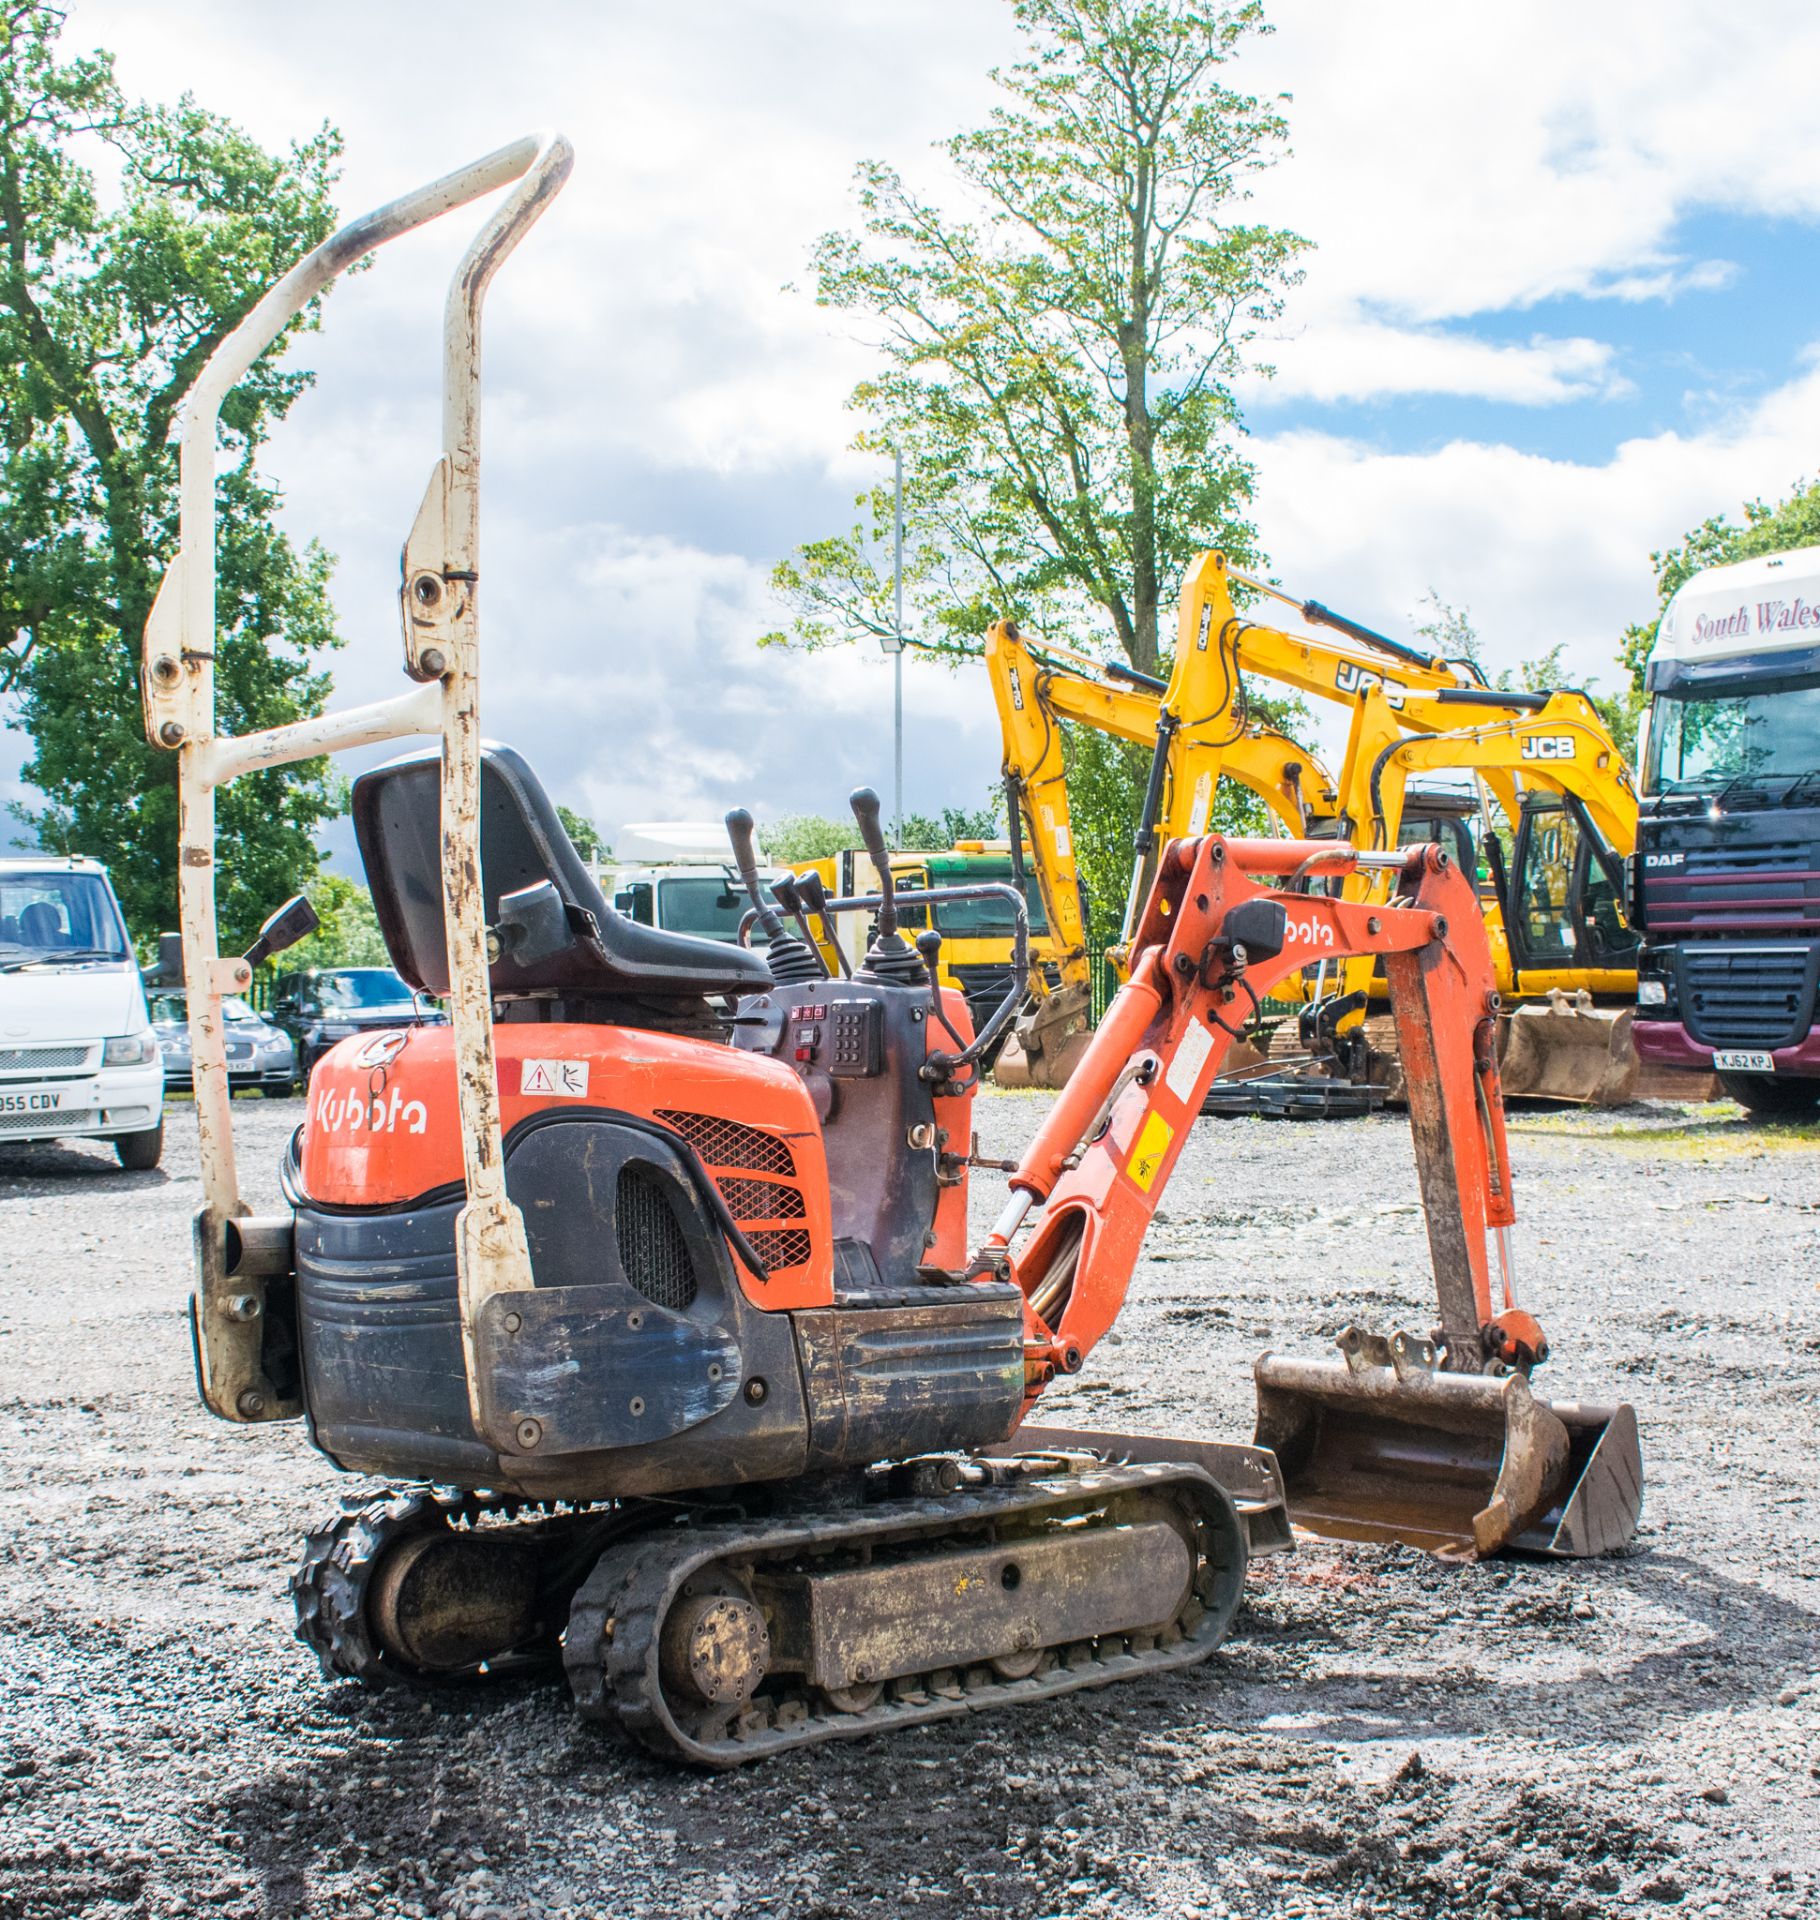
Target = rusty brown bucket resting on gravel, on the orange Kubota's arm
(1385,1447)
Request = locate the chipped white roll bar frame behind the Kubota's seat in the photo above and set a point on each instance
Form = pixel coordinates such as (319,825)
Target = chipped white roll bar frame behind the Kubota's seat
(443,652)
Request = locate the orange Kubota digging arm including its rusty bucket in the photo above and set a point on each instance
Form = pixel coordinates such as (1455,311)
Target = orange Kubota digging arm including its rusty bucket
(1435,1443)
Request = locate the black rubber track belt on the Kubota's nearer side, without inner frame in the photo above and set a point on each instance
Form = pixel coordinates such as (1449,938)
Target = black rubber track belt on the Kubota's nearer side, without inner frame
(635,1585)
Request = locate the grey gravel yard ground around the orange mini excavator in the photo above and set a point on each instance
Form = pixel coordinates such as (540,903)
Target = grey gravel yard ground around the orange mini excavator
(1381,1737)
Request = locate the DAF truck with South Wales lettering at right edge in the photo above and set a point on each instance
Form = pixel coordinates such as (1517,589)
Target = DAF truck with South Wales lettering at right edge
(1727,873)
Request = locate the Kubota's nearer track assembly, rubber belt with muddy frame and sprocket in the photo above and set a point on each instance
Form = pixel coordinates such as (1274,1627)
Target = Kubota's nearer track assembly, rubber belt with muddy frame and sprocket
(723,1644)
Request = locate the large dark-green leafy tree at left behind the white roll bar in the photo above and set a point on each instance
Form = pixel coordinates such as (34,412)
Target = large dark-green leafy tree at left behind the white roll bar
(110,304)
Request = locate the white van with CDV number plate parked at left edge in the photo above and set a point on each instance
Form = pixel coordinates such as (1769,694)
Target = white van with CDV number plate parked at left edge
(78,1053)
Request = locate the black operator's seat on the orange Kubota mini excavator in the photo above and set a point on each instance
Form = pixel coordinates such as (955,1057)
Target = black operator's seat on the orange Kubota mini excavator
(398,825)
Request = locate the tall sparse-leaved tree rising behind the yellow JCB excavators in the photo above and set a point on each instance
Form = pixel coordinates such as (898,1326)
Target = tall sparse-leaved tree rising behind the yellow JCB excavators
(1059,368)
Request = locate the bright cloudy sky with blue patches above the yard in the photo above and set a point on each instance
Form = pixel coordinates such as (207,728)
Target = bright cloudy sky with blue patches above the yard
(1558,310)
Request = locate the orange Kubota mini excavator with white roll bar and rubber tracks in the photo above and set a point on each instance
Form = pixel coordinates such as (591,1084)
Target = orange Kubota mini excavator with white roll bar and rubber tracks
(646,1285)
